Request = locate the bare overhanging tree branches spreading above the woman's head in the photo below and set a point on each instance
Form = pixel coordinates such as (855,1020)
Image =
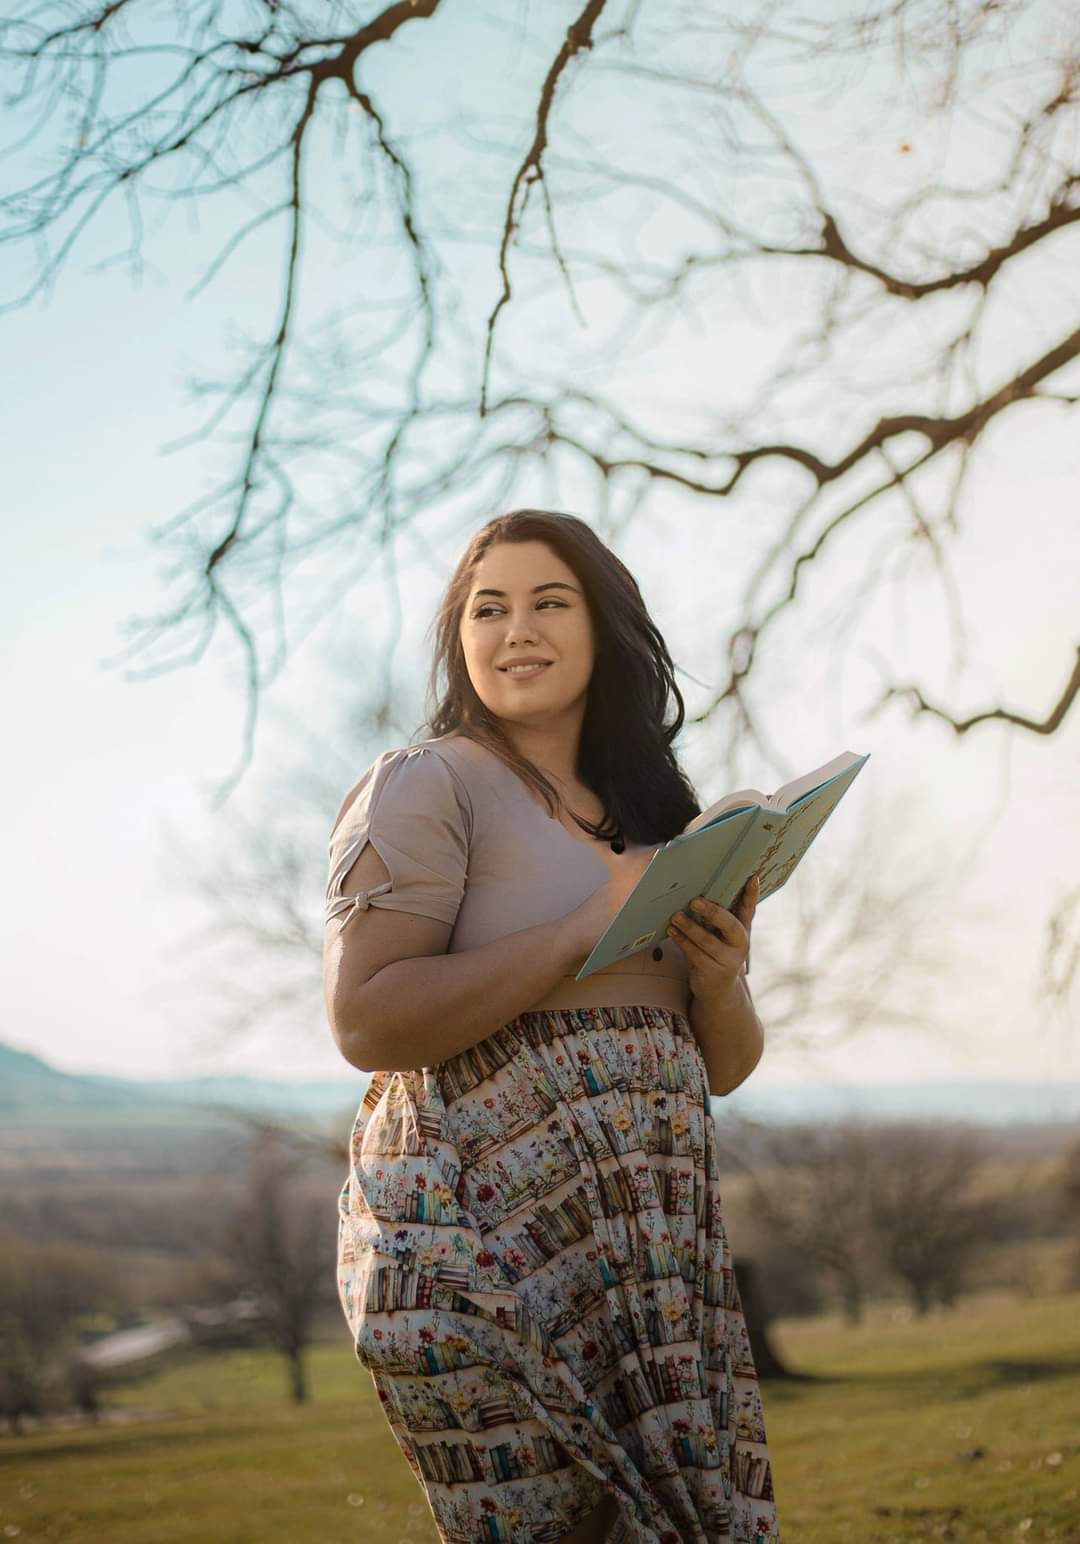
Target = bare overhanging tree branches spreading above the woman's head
(674,181)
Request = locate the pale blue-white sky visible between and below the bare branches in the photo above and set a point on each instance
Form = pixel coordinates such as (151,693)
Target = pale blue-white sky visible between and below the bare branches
(106,774)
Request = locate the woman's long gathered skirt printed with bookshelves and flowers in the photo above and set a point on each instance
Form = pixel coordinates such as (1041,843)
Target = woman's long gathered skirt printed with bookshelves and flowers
(535,1271)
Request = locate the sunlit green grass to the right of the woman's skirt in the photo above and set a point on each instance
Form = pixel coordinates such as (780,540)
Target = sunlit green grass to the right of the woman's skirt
(880,1446)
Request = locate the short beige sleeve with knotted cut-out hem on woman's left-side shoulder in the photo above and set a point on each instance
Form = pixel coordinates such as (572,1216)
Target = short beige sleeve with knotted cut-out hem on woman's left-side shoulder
(416,814)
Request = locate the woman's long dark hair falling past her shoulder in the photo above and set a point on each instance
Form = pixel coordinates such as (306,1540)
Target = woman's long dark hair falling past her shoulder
(627,745)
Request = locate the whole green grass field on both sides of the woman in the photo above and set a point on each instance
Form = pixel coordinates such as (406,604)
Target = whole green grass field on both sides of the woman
(960,1427)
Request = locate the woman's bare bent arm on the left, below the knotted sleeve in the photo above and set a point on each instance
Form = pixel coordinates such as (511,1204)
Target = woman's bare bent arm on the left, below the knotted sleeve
(398,1001)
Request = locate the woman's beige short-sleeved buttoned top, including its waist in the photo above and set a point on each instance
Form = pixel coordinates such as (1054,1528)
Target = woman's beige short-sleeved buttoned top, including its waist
(466,841)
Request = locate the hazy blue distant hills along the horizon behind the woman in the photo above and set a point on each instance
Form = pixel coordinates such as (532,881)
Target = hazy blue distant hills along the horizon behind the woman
(89,1134)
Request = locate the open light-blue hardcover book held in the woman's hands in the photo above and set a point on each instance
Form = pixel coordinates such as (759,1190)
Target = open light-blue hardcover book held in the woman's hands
(747,833)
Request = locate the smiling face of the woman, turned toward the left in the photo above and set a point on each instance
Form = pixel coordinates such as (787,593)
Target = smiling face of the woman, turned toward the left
(538,612)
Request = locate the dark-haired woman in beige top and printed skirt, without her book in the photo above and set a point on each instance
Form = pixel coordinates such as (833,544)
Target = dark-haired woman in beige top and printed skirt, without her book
(532,1256)
